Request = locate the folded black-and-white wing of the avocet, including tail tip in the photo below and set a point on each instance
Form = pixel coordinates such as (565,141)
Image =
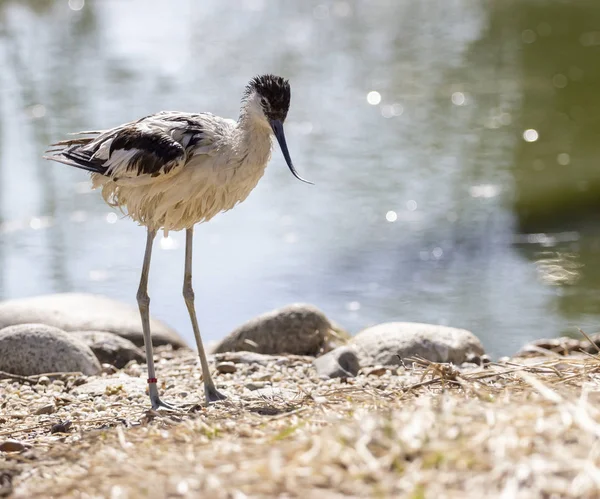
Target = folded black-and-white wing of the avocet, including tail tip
(154,146)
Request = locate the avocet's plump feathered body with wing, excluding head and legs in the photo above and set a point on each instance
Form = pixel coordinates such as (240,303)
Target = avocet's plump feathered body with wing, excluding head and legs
(171,170)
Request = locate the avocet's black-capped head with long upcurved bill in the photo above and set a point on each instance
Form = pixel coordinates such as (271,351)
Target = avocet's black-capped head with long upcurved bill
(266,103)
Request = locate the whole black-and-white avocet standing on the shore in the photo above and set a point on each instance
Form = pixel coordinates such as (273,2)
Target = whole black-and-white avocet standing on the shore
(172,170)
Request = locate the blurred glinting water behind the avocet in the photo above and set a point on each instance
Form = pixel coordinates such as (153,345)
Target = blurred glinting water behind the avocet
(454,144)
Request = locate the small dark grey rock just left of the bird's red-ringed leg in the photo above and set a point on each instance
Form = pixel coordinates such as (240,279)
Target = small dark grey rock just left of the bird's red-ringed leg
(110,348)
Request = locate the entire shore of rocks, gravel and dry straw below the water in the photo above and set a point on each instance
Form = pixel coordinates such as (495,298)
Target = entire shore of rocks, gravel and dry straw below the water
(400,409)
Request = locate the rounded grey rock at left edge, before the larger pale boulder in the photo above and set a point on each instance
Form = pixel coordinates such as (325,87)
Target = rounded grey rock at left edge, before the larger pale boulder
(29,349)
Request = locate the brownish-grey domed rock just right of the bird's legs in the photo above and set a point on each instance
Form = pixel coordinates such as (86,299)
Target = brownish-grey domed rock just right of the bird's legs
(297,329)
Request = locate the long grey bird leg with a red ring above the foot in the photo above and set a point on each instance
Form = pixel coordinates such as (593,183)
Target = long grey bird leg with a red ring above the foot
(144,304)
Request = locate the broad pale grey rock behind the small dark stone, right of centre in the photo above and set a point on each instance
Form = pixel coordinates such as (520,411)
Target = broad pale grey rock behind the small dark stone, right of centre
(390,343)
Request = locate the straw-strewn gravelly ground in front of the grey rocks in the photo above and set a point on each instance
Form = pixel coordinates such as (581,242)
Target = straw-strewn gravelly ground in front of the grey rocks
(427,430)
